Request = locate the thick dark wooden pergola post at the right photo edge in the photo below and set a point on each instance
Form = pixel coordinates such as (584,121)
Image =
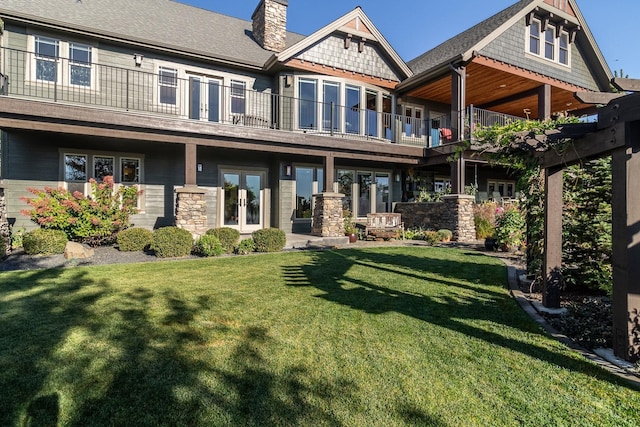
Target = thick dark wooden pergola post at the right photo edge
(626,245)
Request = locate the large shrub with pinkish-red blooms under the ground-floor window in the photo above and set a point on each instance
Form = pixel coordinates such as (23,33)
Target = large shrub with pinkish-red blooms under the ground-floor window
(94,220)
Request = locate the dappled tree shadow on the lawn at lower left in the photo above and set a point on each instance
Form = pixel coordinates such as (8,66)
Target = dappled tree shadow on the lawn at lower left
(85,353)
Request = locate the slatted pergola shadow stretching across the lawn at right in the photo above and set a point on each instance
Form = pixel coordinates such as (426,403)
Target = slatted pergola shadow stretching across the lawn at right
(329,272)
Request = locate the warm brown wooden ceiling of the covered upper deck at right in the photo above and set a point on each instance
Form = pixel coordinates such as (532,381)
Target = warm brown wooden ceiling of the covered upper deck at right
(504,88)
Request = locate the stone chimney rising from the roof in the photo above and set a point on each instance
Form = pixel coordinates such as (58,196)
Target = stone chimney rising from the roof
(270,24)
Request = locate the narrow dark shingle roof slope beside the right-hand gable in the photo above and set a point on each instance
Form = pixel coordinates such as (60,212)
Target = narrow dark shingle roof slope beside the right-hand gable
(464,41)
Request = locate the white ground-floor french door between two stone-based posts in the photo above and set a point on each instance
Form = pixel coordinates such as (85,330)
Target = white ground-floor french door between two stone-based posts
(243,200)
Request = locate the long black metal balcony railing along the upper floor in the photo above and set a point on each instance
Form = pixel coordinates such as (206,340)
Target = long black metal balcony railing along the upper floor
(206,99)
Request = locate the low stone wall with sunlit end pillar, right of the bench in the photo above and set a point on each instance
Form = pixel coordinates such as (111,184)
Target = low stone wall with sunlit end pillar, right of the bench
(454,213)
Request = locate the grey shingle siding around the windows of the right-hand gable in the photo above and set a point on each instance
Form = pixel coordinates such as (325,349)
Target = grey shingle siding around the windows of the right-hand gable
(510,46)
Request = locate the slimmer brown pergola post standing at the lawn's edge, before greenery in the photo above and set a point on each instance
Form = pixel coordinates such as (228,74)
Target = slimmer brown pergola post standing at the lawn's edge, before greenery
(552,261)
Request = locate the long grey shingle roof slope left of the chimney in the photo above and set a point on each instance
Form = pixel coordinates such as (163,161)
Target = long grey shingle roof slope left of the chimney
(162,23)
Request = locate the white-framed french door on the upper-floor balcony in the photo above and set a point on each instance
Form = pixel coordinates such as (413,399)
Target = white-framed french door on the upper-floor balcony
(205,96)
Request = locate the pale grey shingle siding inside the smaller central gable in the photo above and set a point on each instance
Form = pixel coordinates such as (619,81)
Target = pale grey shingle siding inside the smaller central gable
(332,53)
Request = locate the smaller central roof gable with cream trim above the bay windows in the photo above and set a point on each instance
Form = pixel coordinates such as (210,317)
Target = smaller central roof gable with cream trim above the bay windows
(350,44)
